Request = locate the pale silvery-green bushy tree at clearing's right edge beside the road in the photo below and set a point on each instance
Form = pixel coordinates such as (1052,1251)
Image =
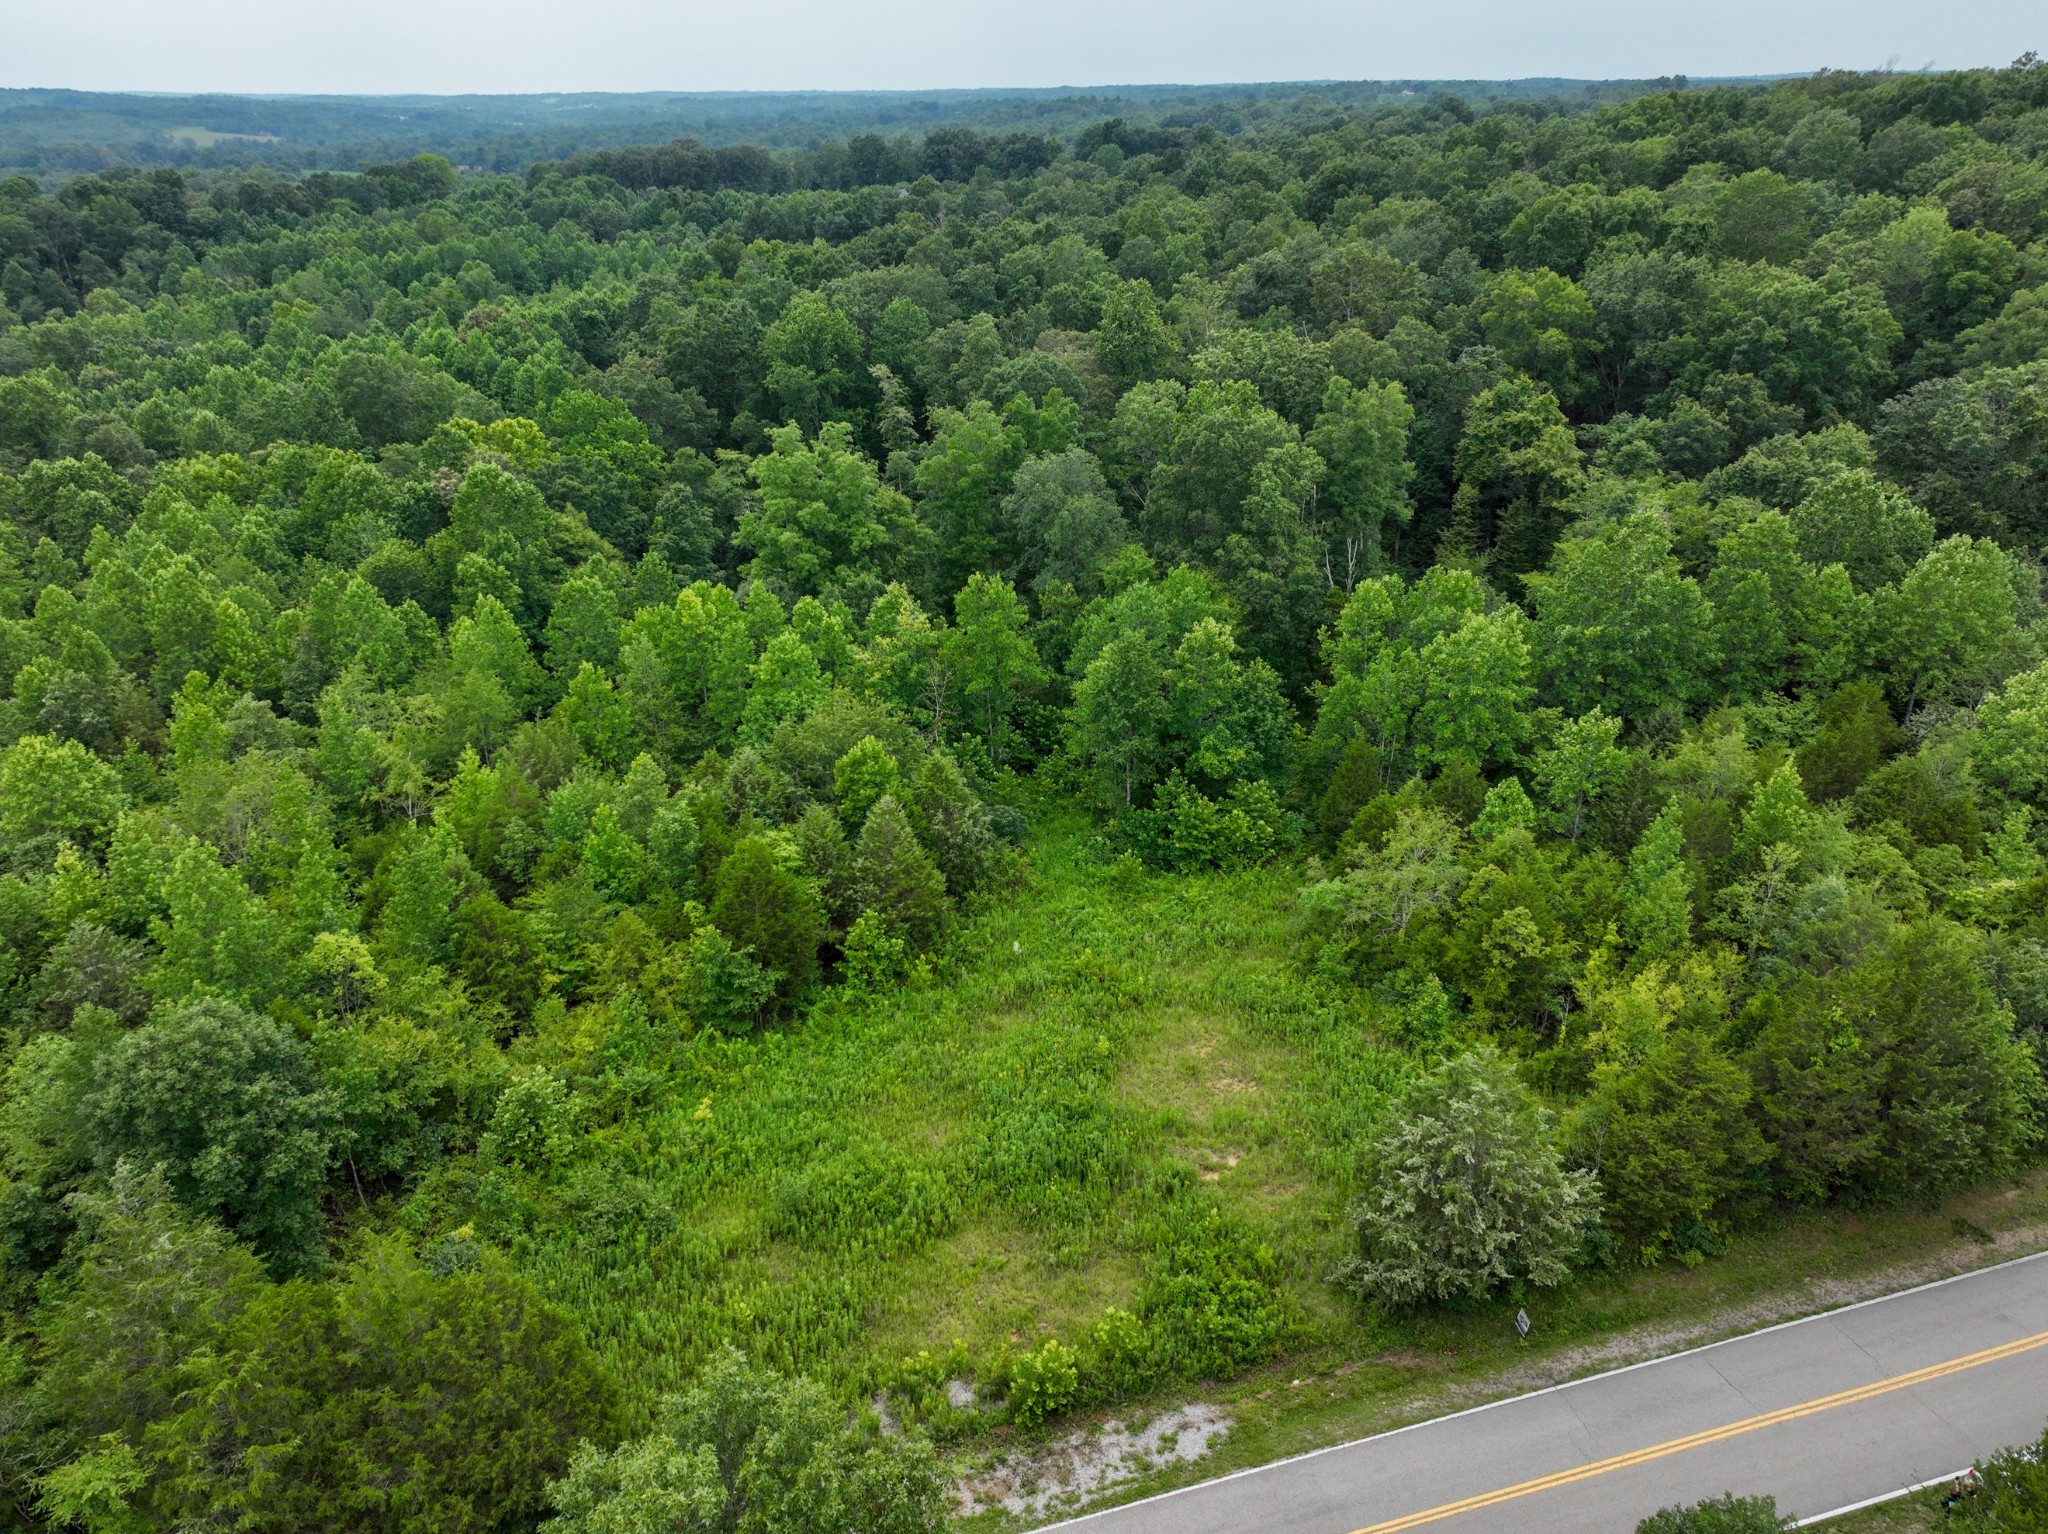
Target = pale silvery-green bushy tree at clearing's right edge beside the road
(1467,1191)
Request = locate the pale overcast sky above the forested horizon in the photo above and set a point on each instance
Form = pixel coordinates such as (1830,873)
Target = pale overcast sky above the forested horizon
(517,46)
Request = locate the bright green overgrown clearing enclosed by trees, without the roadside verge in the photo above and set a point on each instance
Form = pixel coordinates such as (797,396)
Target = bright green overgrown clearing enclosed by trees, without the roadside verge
(841,1195)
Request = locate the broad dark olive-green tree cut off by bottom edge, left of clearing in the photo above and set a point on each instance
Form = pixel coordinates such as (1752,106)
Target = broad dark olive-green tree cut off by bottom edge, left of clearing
(394,1400)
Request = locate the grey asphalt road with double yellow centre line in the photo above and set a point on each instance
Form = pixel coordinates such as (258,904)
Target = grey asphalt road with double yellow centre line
(1822,1414)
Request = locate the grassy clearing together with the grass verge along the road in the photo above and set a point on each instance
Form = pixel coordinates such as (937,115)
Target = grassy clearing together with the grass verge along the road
(828,1199)
